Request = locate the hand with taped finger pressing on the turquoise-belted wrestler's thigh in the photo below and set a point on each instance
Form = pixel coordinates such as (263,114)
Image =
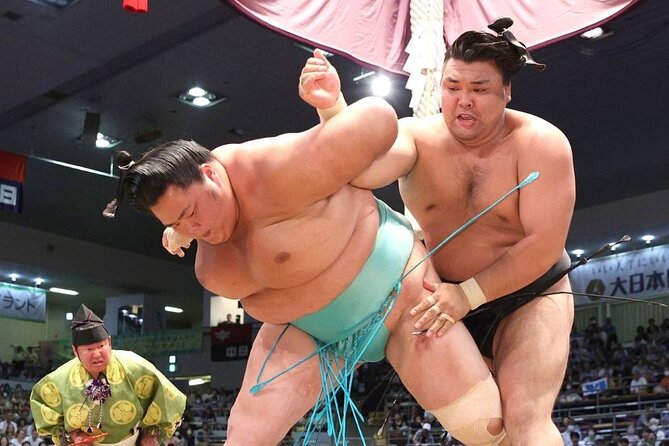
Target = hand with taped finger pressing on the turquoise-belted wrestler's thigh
(441,310)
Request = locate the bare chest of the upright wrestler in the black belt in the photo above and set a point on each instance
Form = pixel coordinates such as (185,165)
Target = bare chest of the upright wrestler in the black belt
(449,185)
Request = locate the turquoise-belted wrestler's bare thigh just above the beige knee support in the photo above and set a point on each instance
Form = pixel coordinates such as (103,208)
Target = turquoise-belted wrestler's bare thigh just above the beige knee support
(436,371)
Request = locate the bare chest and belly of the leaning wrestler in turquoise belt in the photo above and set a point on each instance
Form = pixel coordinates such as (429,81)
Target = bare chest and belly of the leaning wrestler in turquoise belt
(283,267)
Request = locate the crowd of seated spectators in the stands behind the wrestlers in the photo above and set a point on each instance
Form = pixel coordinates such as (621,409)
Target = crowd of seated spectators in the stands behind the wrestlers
(637,370)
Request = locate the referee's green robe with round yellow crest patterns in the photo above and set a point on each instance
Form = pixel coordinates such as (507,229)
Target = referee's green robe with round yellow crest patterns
(141,397)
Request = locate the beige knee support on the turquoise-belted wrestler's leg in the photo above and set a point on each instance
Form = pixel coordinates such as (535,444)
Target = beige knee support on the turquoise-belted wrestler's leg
(467,418)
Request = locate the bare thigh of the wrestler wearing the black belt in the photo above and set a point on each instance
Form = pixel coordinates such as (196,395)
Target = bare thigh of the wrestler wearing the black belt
(531,350)
